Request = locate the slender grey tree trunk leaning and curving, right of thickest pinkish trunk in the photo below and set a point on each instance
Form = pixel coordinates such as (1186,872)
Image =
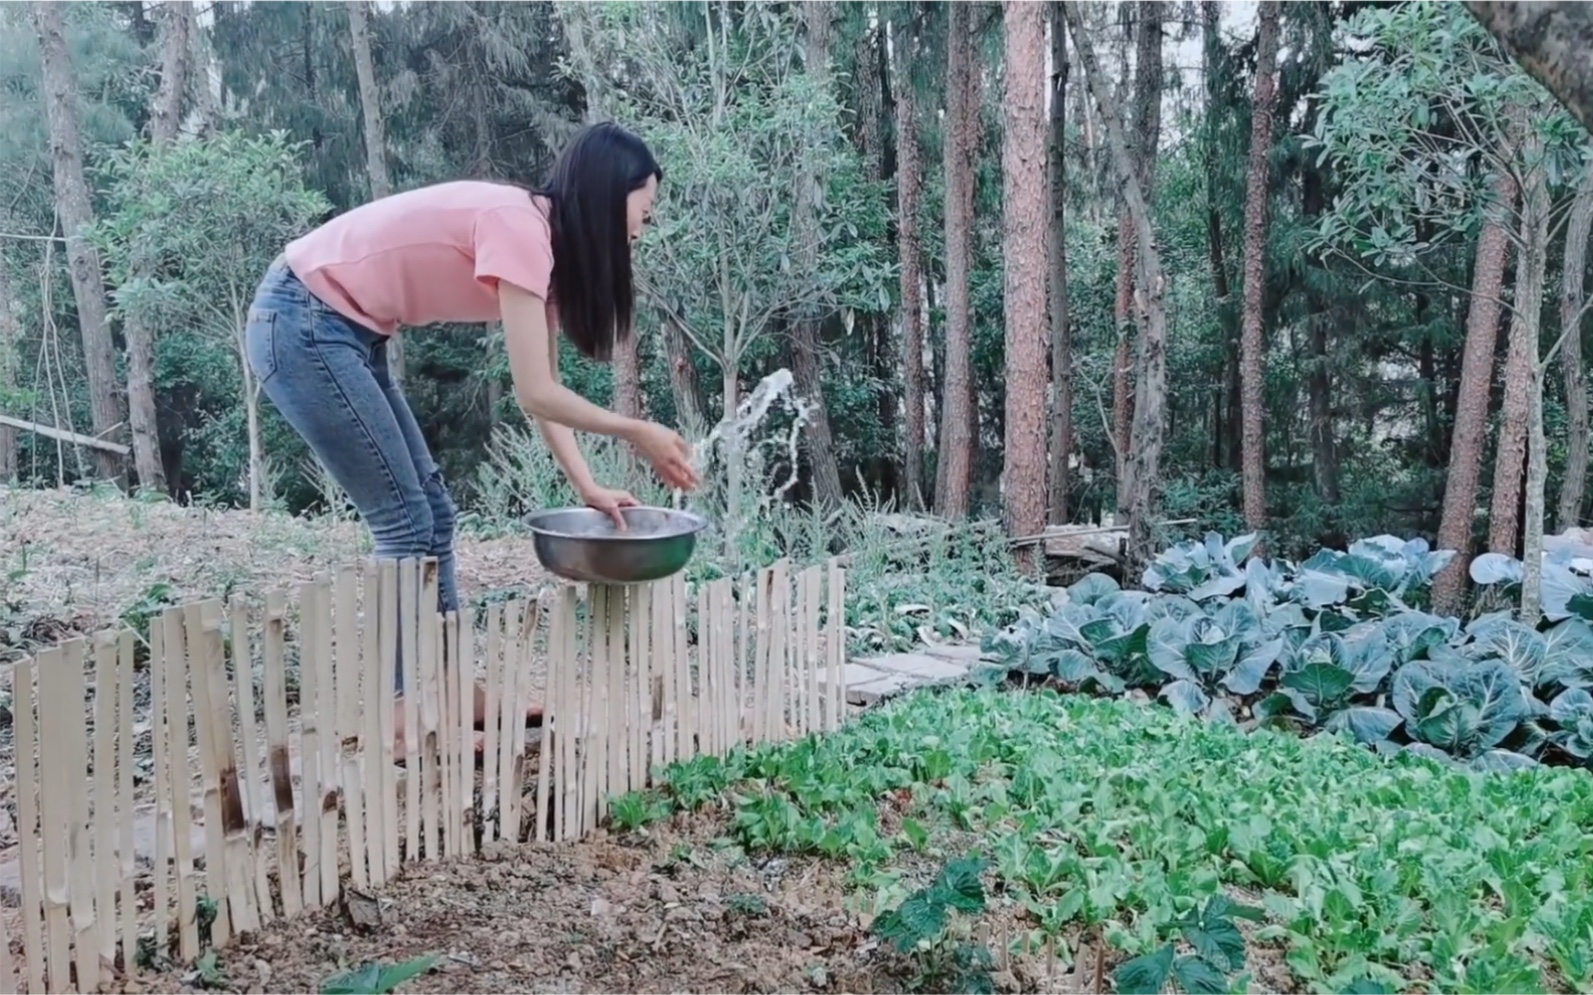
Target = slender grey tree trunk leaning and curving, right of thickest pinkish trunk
(1153,388)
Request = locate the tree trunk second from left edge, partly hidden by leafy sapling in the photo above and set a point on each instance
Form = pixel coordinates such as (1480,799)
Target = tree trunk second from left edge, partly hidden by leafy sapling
(165,122)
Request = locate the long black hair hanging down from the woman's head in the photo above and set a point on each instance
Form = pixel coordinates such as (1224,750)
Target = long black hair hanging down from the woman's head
(592,246)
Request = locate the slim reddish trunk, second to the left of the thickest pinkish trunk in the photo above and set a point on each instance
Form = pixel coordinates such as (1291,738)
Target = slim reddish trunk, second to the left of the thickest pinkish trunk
(910,195)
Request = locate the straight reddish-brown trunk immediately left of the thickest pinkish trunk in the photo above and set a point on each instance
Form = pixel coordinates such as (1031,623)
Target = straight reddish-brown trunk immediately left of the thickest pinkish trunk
(963,104)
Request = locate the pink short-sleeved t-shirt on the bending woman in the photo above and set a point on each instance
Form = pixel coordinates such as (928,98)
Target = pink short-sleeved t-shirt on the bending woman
(429,256)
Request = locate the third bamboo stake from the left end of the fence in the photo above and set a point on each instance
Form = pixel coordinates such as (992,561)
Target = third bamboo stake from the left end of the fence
(69,741)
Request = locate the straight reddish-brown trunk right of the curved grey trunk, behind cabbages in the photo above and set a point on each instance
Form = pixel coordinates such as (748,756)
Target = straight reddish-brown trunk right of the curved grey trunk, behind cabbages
(1253,341)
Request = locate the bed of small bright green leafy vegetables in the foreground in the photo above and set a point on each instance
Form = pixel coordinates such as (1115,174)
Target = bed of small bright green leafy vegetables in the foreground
(1153,827)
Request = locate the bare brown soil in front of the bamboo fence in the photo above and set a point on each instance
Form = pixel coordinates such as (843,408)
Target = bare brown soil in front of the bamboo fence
(673,911)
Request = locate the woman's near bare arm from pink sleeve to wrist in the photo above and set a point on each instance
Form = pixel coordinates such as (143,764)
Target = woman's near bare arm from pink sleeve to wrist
(538,388)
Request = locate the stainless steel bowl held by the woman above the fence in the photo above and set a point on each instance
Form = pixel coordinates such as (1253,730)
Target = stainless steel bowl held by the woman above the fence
(584,545)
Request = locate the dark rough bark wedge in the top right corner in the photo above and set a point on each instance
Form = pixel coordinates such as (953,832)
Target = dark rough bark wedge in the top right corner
(1552,44)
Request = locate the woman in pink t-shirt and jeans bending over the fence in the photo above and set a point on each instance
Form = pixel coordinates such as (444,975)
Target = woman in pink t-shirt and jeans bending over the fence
(460,252)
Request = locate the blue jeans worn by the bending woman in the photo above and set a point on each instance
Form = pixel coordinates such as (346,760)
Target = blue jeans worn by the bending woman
(329,378)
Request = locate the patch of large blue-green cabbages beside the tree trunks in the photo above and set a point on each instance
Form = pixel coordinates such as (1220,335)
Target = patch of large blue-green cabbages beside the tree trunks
(1339,644)
